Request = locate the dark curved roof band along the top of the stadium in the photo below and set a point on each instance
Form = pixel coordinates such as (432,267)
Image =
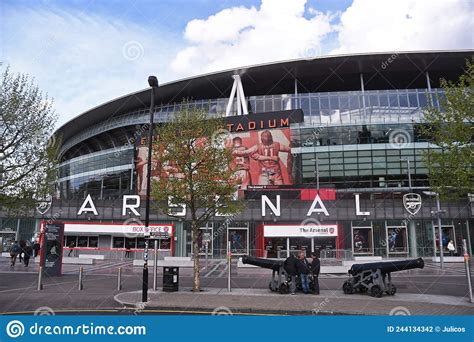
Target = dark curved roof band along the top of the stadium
(321,74)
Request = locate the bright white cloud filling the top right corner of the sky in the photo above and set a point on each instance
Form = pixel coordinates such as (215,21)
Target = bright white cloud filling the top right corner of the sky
(406,25)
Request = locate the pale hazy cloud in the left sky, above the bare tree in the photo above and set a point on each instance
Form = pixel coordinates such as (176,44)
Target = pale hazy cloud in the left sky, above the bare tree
(83,60)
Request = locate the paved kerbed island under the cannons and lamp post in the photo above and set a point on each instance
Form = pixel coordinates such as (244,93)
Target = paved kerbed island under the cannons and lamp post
(219,301)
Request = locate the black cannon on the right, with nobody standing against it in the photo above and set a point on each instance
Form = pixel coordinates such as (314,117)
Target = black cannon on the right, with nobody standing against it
(375,278)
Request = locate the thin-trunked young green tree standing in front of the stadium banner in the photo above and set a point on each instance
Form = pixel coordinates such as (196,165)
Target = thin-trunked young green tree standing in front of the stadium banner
(193,165)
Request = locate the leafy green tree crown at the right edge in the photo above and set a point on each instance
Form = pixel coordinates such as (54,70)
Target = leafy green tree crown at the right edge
(451,130)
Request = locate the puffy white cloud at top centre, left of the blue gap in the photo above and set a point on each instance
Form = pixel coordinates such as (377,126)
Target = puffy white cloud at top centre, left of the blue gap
(240,36)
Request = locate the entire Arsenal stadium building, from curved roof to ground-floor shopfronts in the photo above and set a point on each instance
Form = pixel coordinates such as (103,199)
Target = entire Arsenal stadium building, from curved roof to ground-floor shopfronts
(347,175)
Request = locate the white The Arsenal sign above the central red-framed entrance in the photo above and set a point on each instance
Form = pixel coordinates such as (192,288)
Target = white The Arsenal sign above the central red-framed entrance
(308,231)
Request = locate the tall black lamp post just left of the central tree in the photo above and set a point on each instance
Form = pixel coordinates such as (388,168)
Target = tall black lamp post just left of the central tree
(153,82)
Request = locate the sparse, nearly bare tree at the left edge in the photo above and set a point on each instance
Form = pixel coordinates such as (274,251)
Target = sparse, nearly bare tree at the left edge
(28,148)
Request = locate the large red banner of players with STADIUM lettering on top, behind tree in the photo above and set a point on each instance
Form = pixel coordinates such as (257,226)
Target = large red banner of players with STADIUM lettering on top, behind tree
(261,146)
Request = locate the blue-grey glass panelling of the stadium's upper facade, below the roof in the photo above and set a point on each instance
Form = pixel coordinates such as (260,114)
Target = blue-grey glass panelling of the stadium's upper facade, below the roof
(350,134)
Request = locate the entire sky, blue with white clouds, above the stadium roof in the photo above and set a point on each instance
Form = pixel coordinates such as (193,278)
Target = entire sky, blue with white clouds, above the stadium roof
(83,53)
